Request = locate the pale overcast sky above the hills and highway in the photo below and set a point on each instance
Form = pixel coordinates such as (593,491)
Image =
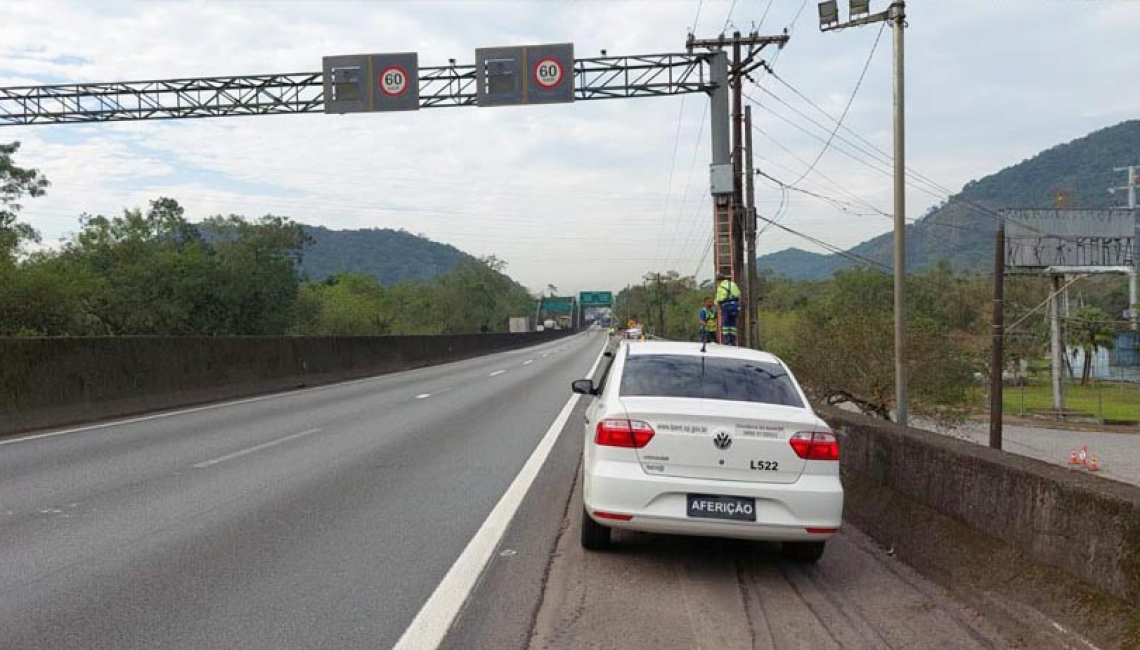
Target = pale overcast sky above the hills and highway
(589,196)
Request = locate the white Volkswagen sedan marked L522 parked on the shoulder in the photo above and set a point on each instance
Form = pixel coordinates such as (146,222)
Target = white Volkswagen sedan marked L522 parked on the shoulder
(720,443)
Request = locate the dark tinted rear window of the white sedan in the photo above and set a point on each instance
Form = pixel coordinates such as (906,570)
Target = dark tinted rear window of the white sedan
(707,378)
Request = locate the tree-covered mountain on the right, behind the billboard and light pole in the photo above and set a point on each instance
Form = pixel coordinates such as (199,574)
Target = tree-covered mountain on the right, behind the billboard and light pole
(963,234)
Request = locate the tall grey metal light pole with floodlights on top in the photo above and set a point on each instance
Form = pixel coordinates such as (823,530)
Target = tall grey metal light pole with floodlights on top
(895,15)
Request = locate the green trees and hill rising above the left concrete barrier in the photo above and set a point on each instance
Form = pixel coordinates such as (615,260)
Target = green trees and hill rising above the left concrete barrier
(156,272)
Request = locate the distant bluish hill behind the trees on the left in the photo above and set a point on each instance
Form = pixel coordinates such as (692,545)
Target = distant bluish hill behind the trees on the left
(390,256)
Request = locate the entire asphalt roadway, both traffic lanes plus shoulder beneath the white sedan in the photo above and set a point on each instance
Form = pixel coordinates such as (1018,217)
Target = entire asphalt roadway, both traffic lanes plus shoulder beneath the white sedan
(328,518)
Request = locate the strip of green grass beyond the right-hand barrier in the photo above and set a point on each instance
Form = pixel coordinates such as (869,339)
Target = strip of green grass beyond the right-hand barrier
(1106,401)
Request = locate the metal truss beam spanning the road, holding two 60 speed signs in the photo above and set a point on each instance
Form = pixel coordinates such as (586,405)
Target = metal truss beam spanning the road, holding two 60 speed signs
(602,78)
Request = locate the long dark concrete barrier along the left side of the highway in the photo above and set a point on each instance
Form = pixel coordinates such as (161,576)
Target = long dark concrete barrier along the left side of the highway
(51,383)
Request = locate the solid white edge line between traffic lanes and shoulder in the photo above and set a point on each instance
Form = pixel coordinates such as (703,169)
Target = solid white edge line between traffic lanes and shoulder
(430,627)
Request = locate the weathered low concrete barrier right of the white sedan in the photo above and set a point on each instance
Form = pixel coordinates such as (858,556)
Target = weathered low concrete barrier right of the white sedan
(1086,526)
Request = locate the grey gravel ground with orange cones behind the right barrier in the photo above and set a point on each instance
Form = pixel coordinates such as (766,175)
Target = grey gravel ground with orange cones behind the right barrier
(1118,452)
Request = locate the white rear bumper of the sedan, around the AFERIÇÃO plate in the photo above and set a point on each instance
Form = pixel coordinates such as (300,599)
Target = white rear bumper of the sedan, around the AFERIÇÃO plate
(785,513)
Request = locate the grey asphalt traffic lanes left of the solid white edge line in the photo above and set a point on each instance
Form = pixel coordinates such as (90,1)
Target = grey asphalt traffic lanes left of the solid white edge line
(322,518)
